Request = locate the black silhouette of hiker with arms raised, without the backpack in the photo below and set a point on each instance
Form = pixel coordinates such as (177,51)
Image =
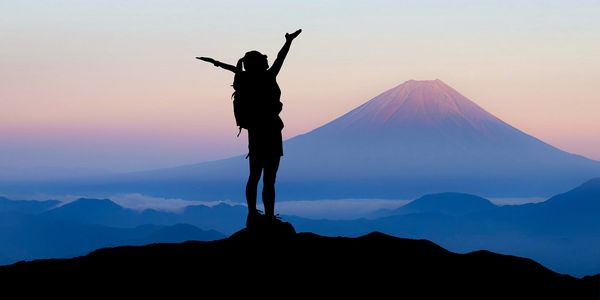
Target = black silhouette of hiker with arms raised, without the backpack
(258,83)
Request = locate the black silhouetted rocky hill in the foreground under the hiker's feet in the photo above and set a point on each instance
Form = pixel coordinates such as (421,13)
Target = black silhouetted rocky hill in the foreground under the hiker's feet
(260,263)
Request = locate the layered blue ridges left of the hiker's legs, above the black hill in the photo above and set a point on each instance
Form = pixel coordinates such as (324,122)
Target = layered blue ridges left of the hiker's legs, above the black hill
(45,229)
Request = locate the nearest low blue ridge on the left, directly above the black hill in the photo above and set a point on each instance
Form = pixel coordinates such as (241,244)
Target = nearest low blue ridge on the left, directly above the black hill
(26,237)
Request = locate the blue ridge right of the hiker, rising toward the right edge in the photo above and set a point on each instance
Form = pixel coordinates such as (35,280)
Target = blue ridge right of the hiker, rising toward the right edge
(562,232)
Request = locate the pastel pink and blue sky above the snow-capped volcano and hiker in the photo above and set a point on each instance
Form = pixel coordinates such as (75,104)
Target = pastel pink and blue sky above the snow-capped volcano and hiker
(114,85)
